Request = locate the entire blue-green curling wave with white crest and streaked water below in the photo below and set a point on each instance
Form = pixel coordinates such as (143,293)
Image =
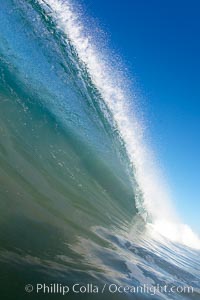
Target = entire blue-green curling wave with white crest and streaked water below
(74,196)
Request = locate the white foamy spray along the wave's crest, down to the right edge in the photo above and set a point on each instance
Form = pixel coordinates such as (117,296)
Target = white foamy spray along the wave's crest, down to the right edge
(155,195)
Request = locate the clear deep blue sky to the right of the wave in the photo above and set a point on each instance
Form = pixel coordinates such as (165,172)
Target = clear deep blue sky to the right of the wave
(160,44)
